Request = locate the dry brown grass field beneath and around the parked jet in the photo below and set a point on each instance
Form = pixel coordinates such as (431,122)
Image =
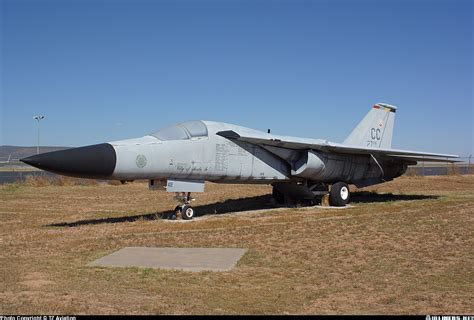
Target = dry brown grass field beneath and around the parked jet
(402,247)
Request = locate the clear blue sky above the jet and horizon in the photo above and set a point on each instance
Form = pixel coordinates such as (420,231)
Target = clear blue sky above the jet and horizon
(107,70)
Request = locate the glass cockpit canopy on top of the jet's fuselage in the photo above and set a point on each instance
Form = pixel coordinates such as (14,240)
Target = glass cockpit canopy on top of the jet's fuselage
(182,131)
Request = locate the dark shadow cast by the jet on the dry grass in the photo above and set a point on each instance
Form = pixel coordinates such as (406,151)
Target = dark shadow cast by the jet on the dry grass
(241,205)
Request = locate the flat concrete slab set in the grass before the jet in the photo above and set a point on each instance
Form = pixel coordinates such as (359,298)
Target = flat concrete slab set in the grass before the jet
(187,259)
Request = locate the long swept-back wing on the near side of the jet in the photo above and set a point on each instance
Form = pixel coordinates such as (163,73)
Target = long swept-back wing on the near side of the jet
(294,143)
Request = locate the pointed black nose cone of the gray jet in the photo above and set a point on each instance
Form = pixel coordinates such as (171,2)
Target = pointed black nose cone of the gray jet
(96,161)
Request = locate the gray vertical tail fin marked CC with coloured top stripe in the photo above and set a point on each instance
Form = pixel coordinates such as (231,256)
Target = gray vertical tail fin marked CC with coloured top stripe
(375,130)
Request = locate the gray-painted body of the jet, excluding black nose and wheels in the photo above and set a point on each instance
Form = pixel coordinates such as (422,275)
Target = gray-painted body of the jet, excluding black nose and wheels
(221,152)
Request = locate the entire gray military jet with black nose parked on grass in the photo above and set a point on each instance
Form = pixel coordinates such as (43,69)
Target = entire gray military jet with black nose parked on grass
(185,155)
